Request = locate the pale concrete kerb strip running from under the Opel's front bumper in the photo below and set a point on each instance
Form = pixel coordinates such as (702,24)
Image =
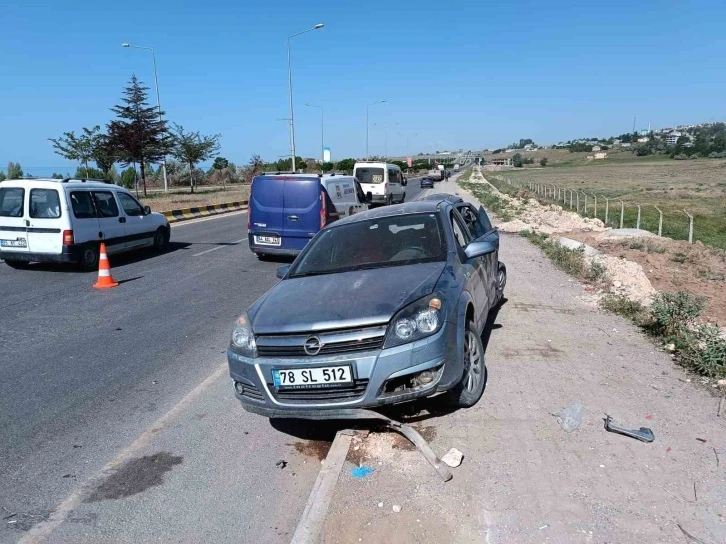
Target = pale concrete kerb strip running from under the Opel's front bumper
(311,523)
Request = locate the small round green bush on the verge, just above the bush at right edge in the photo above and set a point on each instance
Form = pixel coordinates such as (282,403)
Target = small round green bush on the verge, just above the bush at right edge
(674,314)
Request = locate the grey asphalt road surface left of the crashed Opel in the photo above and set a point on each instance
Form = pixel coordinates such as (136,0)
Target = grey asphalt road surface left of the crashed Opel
(86,374)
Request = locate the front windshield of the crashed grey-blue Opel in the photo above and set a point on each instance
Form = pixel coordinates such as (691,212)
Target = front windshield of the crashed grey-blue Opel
(376,243)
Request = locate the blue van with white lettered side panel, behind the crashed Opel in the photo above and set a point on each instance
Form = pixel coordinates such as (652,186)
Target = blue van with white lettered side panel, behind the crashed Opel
(287,210)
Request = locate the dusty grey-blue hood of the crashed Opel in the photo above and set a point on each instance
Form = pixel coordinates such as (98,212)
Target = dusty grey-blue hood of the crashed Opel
(348,299)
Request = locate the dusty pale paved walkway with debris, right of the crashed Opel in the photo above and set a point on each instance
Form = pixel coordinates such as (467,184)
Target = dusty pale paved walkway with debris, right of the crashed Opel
(523,478)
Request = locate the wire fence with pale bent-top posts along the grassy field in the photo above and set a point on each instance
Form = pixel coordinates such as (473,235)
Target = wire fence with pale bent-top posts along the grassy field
(612,211)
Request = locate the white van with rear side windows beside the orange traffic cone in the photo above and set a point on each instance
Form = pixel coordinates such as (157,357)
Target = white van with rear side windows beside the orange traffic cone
(48,220)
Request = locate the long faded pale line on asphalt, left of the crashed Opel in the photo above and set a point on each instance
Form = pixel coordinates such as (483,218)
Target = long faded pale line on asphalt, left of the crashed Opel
(40,532)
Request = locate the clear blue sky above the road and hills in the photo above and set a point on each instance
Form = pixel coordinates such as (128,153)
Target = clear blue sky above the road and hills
(461,74)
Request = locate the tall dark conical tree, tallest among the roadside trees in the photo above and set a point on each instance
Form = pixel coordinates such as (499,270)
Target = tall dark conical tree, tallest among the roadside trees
(138,135)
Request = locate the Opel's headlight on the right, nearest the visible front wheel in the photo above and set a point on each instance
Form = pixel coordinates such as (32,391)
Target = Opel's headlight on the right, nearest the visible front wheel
(419,319)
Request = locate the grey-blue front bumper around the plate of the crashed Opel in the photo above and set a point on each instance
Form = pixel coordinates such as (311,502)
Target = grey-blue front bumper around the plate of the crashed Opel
(371,370)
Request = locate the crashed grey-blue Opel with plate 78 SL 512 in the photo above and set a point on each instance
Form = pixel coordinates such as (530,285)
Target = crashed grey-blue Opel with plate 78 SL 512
(380,308)
